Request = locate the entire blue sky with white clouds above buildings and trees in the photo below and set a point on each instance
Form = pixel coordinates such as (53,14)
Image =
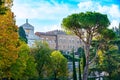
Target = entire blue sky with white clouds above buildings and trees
(47,15)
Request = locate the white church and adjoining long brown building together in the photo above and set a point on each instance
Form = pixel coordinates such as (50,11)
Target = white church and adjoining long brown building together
(56,39)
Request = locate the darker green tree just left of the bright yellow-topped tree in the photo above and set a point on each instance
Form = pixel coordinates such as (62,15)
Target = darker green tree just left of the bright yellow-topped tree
(41,53)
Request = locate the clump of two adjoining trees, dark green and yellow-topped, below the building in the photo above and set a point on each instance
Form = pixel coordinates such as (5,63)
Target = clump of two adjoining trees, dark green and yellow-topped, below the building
(49,65)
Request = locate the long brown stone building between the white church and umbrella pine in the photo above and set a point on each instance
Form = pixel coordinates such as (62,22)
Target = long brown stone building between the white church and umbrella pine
(59,40)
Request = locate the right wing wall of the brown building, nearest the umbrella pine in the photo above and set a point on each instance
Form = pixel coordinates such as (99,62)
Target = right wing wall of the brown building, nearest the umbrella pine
(68,42)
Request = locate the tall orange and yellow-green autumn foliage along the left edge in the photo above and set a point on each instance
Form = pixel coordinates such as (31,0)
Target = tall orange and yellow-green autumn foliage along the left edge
(15,61)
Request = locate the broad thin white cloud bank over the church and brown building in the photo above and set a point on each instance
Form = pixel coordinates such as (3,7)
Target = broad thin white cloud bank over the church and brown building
(43,12)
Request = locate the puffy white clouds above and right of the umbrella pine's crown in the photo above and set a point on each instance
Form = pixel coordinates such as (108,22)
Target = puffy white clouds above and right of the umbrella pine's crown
(112,10)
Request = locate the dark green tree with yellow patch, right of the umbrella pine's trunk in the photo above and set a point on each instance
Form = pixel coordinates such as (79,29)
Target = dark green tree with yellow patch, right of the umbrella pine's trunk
(108,50)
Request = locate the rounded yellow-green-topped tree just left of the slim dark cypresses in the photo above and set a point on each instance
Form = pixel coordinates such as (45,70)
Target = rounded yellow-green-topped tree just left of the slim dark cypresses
(59,65)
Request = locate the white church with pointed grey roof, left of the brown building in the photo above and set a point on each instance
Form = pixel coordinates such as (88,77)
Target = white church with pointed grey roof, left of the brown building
(29,30)
